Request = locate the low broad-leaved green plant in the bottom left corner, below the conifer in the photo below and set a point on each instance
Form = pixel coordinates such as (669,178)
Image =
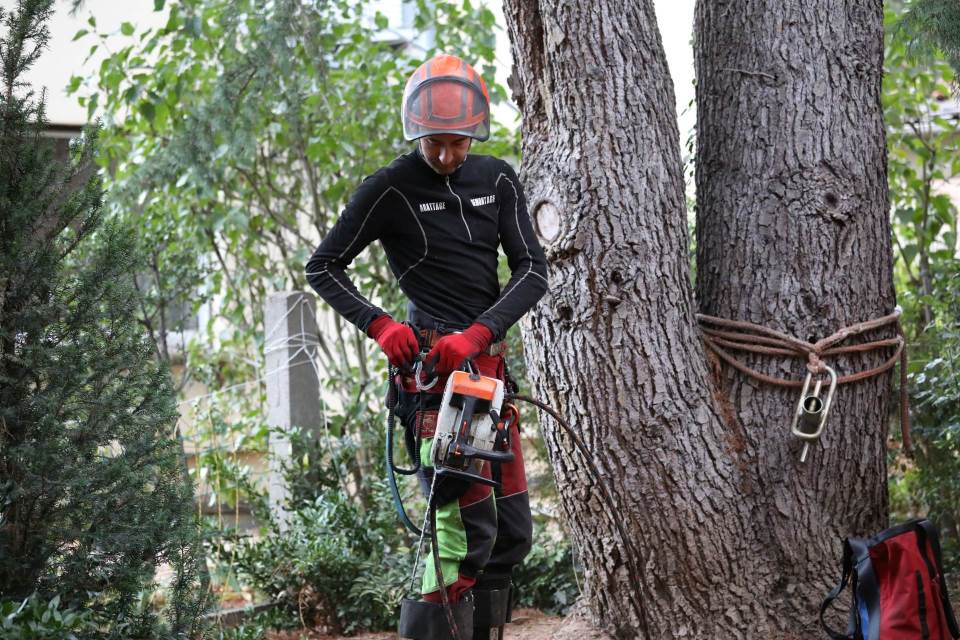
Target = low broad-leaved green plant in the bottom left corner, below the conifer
(36,619)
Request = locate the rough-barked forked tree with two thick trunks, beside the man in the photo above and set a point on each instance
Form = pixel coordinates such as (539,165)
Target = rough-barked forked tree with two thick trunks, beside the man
(733,537)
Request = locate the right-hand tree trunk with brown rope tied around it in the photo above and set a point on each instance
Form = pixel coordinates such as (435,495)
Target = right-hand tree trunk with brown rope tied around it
(793,233)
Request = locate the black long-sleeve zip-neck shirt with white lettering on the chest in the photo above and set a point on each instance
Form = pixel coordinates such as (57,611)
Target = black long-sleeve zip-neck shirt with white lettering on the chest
(440,235)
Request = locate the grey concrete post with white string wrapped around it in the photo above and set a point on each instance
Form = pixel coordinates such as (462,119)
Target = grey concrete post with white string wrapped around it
(293,390)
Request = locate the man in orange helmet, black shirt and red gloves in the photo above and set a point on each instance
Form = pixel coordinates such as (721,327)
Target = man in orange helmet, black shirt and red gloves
(440,215)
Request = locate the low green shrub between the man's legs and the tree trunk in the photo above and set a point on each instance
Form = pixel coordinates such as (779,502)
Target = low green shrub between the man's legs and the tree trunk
(546,579)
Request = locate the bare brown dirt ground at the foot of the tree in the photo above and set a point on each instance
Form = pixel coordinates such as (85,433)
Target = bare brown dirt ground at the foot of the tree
(528,624)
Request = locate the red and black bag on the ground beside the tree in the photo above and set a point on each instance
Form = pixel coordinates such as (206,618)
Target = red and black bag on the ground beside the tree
(898,588)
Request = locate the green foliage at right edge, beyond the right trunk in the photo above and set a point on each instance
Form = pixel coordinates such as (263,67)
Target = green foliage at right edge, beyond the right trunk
(923,154)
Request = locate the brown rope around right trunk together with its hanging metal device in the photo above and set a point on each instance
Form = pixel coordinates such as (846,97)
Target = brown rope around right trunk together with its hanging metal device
(810,417)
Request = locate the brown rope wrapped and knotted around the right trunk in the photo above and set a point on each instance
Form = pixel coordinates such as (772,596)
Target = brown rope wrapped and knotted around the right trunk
(722,335)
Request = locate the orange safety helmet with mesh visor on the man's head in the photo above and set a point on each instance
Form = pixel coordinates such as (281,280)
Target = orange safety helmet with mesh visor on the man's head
(445,95)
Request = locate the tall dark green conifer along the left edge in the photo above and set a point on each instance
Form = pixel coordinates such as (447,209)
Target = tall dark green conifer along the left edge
(92,491)
